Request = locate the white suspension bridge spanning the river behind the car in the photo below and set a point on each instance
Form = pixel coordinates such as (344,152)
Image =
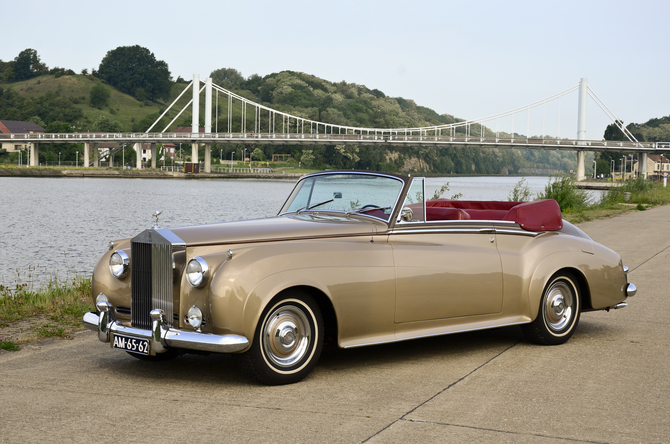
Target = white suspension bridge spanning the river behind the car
(262,125)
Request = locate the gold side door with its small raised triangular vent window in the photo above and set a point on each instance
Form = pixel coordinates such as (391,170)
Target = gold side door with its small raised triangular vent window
(444,269)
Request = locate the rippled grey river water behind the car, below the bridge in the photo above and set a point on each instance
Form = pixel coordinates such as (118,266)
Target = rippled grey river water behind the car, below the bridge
(54,226)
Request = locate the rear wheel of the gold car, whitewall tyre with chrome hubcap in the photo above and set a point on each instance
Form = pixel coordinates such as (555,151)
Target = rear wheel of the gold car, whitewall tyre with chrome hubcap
(559,312)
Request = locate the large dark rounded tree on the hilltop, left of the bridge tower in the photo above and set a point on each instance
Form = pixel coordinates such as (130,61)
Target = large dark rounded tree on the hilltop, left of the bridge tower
(134,70)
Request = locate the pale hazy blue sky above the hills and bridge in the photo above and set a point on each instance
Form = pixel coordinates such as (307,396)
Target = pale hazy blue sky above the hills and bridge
(470,59)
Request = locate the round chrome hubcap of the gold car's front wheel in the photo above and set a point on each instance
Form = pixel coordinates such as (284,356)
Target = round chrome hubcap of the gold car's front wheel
(286,336)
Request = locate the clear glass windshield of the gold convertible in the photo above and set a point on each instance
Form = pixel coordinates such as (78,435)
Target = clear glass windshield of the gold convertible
(363,193)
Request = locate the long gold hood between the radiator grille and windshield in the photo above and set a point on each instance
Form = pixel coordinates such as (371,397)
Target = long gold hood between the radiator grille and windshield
(303,226)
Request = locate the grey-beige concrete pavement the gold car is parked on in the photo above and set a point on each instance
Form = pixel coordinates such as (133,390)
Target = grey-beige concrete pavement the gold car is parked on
(609,383)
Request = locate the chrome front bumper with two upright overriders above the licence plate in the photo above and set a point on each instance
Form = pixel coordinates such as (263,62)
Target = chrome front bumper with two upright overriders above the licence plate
(161,338)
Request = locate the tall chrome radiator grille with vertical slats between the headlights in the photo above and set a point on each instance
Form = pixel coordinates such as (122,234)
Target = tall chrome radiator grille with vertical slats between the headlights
(151,278)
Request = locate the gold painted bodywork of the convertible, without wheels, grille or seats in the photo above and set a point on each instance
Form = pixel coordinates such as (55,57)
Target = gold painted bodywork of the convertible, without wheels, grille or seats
(377,281)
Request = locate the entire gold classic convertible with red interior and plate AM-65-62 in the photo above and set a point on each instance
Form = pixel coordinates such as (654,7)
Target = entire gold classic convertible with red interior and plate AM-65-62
(356,258)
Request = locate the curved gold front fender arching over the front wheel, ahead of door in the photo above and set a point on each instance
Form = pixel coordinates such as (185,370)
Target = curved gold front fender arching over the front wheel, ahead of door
(356,275)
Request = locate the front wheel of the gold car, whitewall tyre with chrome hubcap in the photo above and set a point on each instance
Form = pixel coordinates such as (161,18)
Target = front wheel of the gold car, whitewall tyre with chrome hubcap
(288,341)
